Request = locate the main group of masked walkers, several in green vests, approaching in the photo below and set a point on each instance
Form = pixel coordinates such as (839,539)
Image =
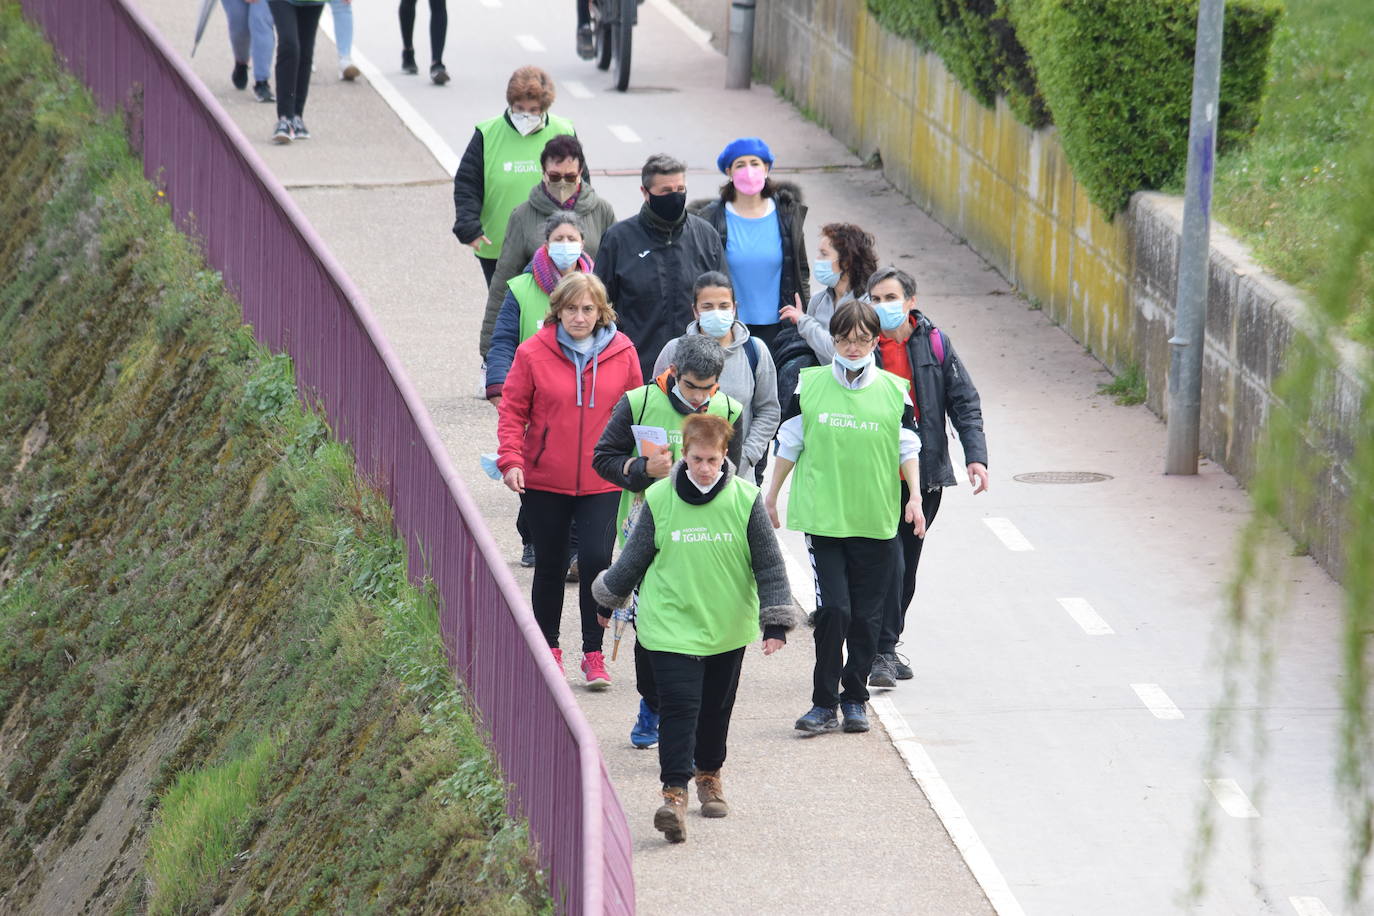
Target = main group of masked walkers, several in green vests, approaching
(648,371)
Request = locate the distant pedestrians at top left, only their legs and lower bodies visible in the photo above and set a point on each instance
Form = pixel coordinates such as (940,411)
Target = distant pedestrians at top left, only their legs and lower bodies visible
(291,27)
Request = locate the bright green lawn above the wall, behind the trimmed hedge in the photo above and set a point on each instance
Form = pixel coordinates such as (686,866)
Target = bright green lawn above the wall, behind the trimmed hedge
(1289,190)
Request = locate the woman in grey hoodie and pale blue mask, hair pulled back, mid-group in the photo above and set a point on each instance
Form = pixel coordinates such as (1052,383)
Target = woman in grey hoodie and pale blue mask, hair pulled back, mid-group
(750,374)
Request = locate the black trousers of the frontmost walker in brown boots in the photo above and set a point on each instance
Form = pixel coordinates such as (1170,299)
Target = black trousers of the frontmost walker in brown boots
(696,700)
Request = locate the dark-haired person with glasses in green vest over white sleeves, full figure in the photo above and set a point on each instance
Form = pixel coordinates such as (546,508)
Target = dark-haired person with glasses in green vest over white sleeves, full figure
(850,431)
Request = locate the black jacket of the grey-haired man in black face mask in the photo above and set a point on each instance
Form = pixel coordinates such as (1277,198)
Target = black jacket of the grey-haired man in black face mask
(649,273)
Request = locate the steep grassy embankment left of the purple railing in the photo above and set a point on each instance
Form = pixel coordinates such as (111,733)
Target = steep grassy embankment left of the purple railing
(193,587)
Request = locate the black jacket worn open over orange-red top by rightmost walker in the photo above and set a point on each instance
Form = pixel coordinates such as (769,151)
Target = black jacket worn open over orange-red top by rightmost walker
(943,391)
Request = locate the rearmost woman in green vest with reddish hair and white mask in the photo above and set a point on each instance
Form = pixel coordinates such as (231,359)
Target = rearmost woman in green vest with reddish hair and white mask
(502,164)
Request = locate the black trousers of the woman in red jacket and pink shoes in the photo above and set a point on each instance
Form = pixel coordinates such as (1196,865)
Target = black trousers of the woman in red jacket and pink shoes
(550,518)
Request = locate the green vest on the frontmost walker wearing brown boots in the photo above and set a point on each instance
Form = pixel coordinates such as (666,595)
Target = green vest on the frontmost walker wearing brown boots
(700,595)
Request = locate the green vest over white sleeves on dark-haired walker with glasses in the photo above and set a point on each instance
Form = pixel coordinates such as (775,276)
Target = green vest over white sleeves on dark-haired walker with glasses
(847,481)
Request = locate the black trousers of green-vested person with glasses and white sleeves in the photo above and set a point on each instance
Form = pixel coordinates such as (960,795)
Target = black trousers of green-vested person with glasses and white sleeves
(854,580)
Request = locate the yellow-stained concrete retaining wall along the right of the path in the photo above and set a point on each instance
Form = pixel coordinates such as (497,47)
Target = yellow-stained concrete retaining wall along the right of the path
(1011,193)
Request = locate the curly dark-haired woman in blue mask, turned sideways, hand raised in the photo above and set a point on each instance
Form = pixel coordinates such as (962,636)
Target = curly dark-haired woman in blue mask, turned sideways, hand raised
(846,259)
